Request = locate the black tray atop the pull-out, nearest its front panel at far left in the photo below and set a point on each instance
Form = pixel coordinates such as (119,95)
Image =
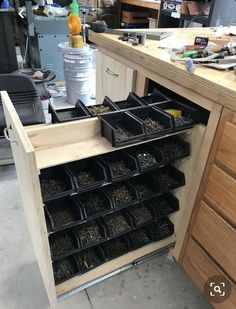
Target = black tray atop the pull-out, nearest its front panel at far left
(68,114)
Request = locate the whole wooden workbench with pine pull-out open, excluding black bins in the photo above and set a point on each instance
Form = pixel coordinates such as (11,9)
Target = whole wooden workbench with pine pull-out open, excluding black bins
(204,239)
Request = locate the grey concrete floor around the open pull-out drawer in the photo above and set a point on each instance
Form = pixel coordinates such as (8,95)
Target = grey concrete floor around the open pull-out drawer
(157,283)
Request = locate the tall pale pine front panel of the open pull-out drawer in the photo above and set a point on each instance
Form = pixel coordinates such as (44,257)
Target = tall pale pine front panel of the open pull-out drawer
(27,174)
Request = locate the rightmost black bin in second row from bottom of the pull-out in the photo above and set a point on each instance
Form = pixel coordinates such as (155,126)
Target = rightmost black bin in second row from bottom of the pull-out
(164,205)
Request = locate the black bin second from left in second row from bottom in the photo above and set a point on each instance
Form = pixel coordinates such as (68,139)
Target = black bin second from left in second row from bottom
(85,233)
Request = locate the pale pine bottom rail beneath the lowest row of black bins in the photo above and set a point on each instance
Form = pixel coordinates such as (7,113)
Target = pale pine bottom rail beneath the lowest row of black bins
(112,265)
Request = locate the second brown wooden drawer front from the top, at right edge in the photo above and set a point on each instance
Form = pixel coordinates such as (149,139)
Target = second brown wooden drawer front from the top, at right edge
(221,193)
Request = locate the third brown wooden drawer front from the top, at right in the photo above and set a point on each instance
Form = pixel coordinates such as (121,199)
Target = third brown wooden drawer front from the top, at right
(217,237)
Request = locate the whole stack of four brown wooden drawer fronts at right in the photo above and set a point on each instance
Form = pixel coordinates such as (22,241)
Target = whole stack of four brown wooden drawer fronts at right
(210,244)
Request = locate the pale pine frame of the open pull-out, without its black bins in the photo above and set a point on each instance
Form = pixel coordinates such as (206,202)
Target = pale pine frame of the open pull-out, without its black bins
(40,147)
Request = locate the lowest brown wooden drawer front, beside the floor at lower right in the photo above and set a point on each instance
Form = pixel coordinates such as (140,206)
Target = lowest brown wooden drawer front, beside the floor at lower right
(200,267)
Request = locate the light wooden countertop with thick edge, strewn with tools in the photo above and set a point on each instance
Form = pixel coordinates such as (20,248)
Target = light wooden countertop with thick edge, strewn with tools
(219,86)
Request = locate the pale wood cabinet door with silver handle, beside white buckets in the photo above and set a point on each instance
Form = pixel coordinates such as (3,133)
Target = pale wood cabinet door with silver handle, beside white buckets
(113,79)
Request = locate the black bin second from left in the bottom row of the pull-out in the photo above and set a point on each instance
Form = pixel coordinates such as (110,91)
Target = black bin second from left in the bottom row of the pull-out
(89,259)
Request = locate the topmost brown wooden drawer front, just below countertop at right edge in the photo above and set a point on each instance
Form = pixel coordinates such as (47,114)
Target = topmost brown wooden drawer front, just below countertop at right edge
(227,150)
